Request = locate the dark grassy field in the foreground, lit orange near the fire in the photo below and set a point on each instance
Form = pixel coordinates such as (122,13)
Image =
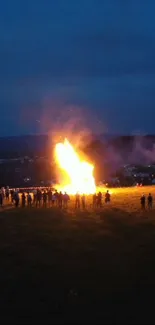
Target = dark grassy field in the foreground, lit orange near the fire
(60,267)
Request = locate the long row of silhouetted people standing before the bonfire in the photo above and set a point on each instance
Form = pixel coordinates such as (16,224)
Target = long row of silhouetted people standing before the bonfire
(49,198)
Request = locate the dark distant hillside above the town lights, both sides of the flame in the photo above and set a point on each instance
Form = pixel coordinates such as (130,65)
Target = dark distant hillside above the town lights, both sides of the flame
(117,148)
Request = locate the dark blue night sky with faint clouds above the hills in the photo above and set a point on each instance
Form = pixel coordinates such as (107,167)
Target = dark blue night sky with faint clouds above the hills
(89,56)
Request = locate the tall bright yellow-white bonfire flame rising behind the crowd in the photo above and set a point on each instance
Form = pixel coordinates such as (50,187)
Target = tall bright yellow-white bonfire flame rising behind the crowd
(80,173)
